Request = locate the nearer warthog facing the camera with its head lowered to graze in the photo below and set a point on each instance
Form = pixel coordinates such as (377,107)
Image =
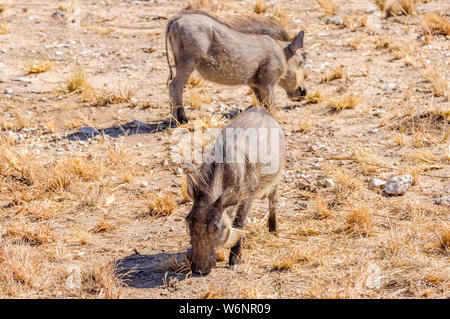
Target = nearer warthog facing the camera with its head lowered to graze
(254,149)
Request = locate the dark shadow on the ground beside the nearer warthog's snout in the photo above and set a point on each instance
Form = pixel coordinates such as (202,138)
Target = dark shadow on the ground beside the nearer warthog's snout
(149,271)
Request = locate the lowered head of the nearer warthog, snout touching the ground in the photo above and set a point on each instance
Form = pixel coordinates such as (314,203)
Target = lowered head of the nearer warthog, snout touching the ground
(209,227)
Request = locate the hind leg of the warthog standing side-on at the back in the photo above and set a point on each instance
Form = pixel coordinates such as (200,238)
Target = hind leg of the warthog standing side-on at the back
(183,72)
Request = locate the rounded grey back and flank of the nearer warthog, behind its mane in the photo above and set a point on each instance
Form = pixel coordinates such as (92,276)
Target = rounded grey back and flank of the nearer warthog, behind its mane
(254,151)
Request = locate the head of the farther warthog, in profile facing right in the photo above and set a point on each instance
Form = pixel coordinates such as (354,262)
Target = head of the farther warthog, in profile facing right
(292,80)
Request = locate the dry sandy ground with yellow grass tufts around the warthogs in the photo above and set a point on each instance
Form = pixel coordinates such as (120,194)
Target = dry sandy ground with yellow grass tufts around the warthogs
(104,216)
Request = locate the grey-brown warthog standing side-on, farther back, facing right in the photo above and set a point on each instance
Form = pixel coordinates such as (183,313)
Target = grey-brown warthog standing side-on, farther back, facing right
(243,50)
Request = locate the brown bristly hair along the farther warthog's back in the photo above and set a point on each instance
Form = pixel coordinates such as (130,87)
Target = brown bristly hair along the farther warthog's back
(250,24)
